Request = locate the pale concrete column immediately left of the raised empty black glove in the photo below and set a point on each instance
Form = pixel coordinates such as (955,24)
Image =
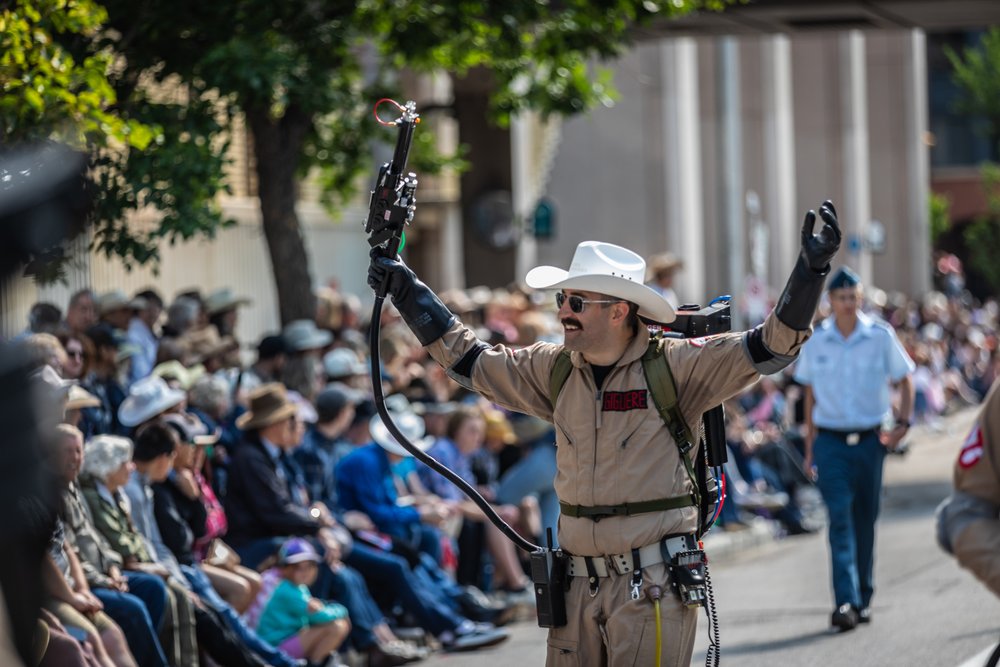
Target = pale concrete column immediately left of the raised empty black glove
(782,218)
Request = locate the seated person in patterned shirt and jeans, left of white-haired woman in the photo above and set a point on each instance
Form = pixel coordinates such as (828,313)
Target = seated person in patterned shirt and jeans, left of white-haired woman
(134,600)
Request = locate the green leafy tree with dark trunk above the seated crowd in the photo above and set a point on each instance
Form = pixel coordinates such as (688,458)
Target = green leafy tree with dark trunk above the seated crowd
(304,74)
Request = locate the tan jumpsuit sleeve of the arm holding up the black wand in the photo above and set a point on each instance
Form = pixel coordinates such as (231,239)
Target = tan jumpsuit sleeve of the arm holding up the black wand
(516,379)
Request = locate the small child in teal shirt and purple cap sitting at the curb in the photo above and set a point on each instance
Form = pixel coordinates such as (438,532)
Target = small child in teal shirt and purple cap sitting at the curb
(301,625)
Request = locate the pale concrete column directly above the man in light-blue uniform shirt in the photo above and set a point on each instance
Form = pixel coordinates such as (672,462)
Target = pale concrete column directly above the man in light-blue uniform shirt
(855,214)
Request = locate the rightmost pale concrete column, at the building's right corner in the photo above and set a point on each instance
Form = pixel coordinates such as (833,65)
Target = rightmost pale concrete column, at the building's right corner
(914,110)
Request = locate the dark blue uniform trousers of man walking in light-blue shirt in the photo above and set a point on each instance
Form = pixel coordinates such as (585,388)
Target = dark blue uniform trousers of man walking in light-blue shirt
(850,480)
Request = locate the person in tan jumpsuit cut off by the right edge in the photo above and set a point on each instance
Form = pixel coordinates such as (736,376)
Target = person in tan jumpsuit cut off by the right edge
(969,521)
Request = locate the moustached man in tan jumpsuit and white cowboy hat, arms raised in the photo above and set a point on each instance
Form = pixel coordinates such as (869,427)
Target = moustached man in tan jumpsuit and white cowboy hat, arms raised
(613,447)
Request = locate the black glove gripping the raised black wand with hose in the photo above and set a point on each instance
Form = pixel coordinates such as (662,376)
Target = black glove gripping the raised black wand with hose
(420,308)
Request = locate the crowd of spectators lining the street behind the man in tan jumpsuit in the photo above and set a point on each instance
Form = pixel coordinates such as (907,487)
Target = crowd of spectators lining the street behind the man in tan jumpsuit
(244,504)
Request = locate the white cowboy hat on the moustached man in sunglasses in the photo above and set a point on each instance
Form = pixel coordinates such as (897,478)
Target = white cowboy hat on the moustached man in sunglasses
(607,269)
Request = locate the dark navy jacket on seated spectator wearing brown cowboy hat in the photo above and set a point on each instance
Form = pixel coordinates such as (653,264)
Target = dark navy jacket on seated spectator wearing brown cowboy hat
(258,502)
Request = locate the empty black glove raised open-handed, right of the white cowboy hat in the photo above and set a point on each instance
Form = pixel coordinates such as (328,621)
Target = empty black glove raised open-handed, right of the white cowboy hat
(798,301)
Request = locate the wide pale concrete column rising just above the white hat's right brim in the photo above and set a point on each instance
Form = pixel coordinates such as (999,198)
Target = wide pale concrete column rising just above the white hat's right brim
(682,187)
